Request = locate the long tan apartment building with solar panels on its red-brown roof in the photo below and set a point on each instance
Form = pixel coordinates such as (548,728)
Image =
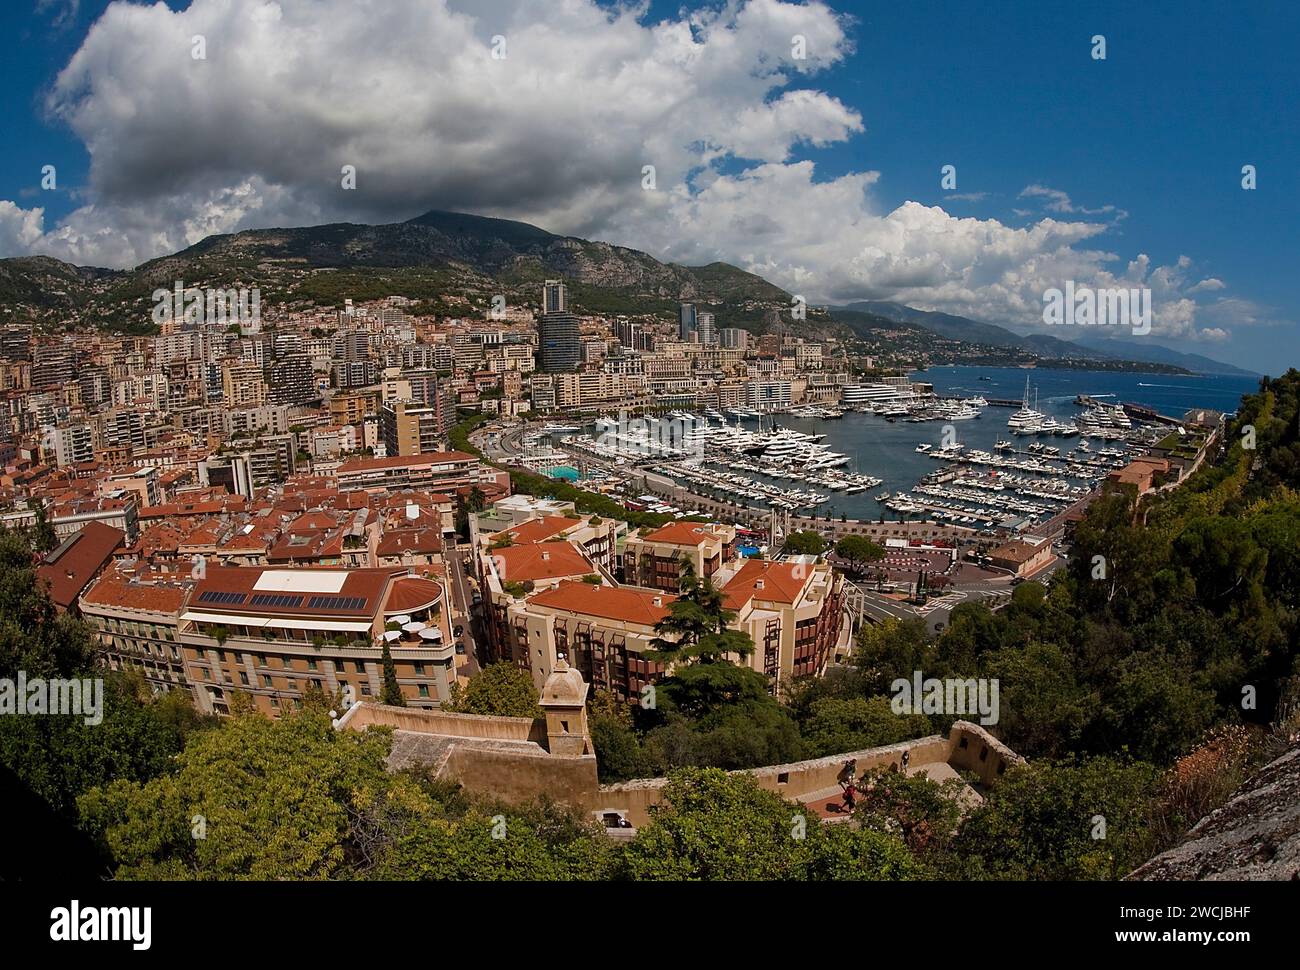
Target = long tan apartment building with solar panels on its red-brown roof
(276,634)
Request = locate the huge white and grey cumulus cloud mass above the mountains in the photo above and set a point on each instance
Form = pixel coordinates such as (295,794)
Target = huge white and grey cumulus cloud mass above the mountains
(557,133)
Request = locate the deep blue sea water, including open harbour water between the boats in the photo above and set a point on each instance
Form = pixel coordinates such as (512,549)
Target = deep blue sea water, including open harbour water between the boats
(889,451)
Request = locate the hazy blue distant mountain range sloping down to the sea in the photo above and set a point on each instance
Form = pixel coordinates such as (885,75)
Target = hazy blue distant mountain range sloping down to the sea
(1091,347)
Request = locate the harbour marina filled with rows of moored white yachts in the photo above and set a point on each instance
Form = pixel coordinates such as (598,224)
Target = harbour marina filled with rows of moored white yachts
(952,457)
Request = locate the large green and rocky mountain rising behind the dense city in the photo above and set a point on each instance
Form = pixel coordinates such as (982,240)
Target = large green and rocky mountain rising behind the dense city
(453,262)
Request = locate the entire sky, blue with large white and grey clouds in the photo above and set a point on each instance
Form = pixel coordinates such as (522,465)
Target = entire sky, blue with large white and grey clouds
(821,172)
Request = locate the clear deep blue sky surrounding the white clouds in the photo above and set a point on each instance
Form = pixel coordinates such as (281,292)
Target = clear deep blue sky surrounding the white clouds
(1149,144)
